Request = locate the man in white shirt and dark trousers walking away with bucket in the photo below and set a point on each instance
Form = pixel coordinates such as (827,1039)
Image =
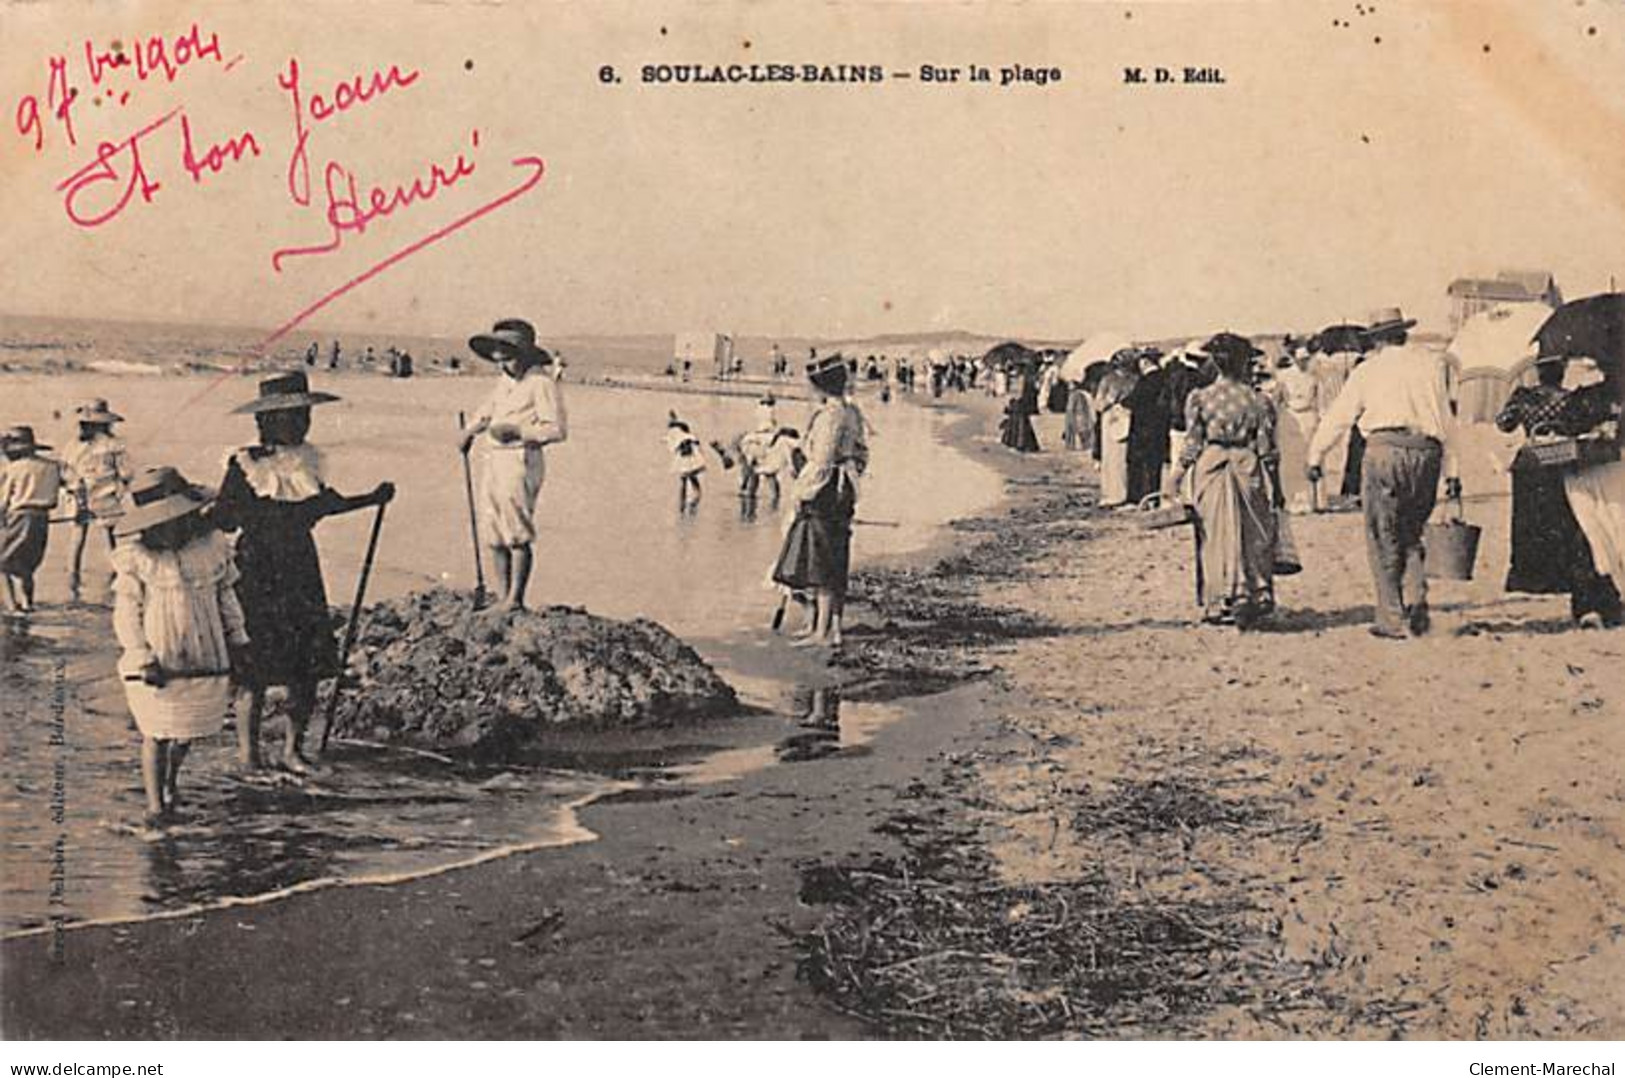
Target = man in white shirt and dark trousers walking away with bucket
(1400,399)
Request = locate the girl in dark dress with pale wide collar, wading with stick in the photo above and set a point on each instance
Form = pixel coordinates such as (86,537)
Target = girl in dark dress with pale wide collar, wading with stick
(275,493)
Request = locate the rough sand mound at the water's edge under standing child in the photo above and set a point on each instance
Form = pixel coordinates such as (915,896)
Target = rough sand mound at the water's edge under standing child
(438,674)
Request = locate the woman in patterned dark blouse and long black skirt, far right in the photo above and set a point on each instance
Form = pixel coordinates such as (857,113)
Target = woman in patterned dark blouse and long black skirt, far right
(1551,555)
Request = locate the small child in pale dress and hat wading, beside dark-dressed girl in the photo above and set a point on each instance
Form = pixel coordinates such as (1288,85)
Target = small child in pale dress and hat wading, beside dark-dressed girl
(180,625)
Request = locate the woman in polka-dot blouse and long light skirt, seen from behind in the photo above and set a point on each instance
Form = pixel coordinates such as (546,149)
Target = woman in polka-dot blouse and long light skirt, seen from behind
(1231,445)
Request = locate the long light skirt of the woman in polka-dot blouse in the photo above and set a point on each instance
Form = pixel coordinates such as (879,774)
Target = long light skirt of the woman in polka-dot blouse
(1237,526)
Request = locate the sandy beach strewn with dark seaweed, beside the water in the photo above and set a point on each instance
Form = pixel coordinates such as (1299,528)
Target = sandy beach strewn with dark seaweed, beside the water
(1301,832)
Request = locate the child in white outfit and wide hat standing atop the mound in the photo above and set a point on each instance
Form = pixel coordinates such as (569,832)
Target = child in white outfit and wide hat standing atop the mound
(524,415)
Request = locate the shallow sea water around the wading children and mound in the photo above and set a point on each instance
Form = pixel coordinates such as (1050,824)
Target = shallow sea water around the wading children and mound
(612,539)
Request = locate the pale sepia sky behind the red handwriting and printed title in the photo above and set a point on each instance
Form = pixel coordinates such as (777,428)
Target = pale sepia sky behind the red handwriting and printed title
(1354,157)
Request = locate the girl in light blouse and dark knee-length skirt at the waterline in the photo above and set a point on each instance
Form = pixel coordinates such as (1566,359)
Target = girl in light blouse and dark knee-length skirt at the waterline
(817,555)
